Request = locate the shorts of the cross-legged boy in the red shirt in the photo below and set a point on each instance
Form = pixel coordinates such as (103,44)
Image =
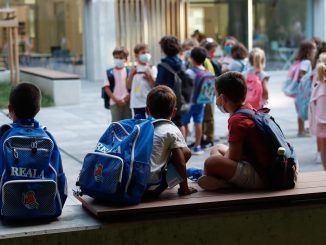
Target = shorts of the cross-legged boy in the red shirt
(246,177)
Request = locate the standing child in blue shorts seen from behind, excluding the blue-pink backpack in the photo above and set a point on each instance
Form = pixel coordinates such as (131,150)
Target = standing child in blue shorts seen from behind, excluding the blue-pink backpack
(197,56)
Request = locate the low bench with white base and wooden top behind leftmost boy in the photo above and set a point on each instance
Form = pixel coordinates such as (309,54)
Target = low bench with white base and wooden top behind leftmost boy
(63,87)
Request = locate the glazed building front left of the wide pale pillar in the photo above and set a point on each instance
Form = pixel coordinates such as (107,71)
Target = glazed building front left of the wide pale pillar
(50,34)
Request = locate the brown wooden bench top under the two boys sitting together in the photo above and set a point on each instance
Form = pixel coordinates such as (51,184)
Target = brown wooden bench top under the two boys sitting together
(311,187)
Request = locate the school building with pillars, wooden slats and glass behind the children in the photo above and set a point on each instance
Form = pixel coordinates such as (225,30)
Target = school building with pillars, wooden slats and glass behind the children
(78,36)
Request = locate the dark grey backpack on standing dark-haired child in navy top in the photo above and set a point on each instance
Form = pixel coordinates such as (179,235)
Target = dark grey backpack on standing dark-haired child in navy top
(183,89)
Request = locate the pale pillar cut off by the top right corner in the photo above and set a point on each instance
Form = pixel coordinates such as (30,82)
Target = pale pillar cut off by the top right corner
(319,18)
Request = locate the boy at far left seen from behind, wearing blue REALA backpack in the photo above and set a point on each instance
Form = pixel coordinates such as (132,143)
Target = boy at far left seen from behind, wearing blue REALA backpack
(32,154)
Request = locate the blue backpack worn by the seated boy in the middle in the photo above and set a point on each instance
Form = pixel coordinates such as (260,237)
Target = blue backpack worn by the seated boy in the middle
(118,170)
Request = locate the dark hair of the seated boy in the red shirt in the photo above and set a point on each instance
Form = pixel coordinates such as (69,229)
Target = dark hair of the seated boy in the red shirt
(232,85)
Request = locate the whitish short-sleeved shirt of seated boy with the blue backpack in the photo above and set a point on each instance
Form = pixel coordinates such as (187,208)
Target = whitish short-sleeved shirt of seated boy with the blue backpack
(167,137)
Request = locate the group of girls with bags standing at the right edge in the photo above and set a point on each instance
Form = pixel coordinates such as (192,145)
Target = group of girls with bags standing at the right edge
(306,83)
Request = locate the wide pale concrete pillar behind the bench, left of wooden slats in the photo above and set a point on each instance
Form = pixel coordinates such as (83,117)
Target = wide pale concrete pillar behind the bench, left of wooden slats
(99,37)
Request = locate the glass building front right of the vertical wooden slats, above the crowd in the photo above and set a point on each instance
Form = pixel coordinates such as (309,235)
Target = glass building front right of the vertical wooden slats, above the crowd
(278,25)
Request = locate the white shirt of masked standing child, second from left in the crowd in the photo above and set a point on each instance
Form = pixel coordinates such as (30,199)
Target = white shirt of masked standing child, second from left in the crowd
(140,87)
